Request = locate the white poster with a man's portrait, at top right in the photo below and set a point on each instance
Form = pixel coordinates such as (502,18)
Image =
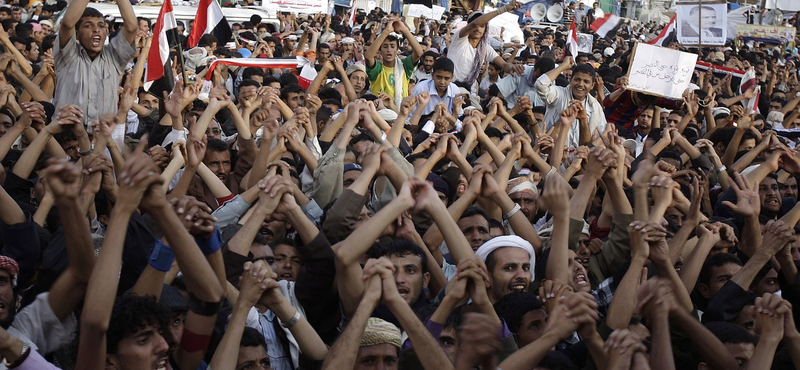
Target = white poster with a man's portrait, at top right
(702,23)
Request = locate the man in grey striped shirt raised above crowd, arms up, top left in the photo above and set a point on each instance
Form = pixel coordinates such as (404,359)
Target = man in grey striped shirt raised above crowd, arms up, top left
(88,70)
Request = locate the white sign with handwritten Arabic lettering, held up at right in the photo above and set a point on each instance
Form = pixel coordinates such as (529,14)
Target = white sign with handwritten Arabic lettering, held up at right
(660,71)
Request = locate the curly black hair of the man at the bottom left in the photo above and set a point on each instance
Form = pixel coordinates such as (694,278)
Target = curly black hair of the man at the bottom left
(132,313)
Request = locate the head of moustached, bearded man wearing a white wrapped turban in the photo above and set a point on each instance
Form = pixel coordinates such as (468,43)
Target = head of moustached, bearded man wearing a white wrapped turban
(509,260)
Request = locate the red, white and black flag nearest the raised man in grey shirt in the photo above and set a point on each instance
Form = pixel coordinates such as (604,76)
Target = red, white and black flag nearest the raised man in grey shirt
(159,77)
